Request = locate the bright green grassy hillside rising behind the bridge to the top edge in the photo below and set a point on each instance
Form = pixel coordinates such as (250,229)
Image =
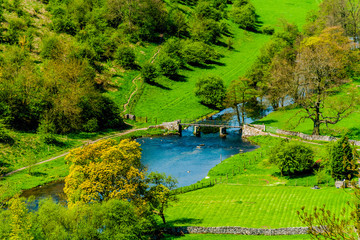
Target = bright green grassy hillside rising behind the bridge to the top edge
(176,99)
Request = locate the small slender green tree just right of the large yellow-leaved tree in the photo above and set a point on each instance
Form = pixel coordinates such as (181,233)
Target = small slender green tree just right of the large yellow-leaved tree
(160,192)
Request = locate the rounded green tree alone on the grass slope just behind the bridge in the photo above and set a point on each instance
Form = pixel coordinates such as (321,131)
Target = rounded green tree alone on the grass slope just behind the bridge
(211,91)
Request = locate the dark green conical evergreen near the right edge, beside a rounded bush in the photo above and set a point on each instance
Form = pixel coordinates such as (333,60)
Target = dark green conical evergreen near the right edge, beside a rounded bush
(342,159)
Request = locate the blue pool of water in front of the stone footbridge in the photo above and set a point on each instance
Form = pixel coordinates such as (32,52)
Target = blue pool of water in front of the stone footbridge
(185,159)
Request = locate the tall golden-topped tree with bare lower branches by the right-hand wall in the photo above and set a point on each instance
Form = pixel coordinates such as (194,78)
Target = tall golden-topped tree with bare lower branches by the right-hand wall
(321,68)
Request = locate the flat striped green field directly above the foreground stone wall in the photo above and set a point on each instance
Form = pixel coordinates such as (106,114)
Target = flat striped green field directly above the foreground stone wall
(251,206)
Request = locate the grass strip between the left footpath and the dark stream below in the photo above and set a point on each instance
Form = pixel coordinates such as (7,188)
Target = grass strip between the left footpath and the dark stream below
(39,175)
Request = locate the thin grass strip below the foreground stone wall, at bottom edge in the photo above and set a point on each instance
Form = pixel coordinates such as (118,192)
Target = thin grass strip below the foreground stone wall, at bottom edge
(236,237)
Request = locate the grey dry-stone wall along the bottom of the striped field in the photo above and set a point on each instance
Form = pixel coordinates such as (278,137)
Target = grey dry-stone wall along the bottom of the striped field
(238,230)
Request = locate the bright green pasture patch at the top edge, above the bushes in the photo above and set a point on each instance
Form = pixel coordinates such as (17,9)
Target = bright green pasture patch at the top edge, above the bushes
(294,11)
